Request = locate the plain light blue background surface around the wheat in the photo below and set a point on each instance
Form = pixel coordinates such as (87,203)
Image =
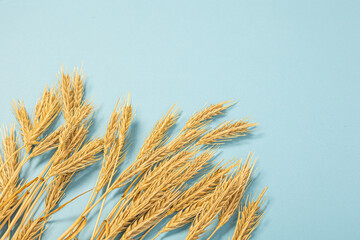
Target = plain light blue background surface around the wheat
(293,66)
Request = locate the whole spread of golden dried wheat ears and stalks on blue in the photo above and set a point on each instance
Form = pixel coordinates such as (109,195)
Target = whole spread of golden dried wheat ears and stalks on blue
(154,185)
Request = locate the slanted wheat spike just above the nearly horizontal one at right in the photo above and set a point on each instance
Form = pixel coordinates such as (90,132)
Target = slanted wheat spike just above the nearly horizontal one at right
(206,114)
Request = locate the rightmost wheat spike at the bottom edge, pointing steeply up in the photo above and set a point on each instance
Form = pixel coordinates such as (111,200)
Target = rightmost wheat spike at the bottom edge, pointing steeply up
(249,218)
